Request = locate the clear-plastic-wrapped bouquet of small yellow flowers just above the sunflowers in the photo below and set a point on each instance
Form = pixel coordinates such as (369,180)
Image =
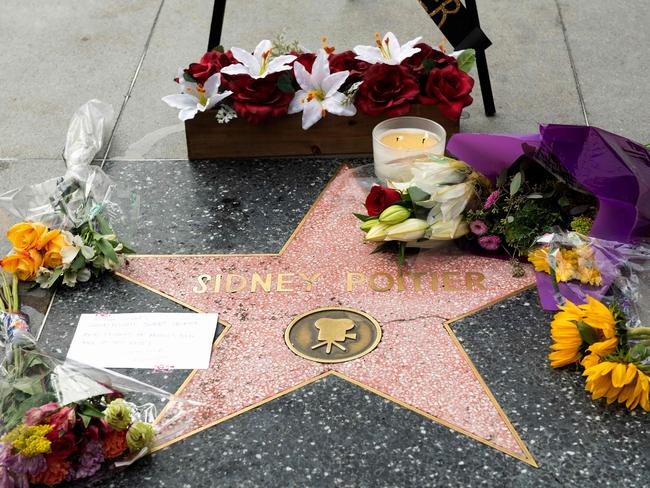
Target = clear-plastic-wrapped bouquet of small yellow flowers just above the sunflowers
(571,266)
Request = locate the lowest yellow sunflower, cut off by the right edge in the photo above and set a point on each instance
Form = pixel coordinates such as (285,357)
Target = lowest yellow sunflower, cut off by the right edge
(621,382)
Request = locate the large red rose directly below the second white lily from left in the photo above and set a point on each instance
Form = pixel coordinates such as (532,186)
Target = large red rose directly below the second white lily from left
(256,100)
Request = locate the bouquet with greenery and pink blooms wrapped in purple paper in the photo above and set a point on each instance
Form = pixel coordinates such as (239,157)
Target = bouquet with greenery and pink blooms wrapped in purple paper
(609,168)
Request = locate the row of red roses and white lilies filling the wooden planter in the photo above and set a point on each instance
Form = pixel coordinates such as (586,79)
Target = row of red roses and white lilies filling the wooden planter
(279,79)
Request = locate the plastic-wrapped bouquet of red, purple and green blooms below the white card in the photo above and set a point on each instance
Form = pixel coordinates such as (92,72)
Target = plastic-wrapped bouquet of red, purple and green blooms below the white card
(62,420)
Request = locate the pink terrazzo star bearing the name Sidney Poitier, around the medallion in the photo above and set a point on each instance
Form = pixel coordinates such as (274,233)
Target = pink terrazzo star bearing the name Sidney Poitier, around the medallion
(326,264)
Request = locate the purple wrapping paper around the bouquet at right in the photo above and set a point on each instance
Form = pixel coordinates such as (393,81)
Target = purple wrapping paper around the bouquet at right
(613,168)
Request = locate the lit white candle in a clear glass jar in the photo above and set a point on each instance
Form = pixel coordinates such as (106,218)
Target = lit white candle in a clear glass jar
(399,141)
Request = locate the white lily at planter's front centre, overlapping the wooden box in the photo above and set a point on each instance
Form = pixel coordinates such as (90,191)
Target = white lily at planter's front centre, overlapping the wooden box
(319,92)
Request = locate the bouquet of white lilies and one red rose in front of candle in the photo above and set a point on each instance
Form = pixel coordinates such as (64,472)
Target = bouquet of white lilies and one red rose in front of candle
(428,207)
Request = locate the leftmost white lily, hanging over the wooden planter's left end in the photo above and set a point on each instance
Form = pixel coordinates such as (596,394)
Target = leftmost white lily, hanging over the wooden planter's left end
(195,97)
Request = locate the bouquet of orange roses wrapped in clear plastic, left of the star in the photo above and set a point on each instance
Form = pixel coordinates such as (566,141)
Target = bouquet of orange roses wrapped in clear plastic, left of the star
(67,231)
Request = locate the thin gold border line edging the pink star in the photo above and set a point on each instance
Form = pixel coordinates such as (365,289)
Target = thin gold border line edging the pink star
(527,457)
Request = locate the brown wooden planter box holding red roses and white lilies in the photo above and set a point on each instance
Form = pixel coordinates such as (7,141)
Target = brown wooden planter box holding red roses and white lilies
(207,139)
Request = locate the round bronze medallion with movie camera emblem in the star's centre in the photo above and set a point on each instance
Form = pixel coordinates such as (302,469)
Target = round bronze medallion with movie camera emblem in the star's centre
(332,335)
